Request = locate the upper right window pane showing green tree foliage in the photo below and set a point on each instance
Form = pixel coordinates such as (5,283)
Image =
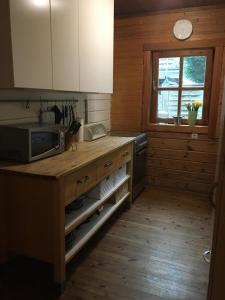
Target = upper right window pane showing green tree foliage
(194,70)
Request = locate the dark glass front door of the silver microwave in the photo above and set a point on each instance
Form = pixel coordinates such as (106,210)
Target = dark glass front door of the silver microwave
(44,144)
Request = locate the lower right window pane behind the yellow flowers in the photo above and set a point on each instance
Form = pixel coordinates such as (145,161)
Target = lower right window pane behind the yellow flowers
(189,97)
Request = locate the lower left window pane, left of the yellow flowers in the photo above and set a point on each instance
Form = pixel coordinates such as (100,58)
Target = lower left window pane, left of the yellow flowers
(167,104)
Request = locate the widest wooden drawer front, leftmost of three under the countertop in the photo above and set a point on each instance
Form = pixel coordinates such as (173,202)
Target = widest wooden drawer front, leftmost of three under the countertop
(79,182)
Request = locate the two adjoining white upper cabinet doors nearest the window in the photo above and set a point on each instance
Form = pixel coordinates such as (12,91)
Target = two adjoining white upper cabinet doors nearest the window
(82,45)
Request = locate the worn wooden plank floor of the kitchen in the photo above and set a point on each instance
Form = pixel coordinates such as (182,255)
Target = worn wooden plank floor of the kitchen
(151,252)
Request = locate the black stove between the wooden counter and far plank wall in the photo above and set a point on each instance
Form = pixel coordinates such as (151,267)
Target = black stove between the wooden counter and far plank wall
(140,159)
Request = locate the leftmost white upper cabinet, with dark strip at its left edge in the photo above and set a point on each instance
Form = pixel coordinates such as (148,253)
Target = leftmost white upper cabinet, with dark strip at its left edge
(25,52)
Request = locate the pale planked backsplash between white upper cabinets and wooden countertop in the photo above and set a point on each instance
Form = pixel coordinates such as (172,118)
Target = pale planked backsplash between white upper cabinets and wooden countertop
(18,106)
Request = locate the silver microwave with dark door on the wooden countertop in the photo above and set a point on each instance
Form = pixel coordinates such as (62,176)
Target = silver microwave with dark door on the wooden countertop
(30,142)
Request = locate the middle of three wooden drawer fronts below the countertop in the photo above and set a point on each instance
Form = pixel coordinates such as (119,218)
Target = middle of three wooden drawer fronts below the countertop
(107,165)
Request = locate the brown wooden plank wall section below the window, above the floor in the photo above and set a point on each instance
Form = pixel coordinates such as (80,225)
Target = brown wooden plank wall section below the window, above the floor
(177,161)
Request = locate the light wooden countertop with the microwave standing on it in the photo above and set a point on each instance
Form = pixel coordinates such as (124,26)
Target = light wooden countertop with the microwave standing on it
(63,164)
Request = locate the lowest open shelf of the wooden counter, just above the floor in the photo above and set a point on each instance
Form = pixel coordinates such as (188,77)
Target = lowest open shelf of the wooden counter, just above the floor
(86,231)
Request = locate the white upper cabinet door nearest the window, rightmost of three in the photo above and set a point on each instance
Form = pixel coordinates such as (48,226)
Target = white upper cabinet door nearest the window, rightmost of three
(96,27)
